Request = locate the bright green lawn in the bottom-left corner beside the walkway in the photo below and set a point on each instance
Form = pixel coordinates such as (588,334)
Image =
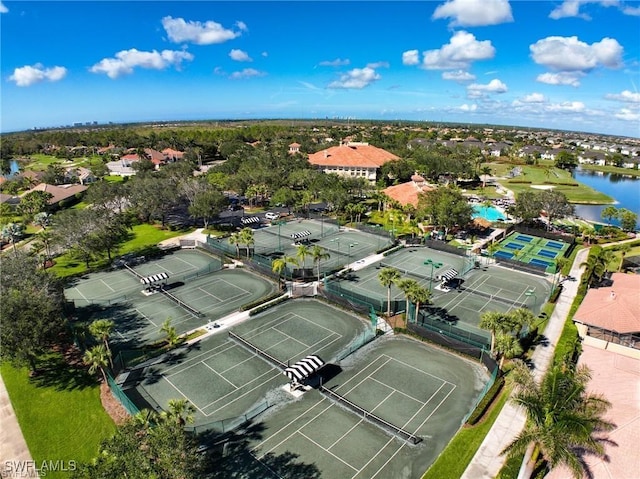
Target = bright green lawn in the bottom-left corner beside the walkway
(58,423)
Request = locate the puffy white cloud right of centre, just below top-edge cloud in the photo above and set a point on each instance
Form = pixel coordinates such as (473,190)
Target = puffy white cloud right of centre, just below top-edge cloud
(462,49)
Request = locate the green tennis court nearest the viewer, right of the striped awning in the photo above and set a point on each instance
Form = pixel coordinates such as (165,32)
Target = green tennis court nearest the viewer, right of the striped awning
(423,390)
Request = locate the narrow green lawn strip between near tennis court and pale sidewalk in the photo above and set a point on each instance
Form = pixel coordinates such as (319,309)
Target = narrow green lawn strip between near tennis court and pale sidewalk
(453,461)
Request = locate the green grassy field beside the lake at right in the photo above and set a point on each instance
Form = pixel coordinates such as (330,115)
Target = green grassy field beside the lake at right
(546,175)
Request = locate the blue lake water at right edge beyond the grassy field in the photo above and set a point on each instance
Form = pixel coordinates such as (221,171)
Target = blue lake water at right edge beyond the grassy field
(624,189)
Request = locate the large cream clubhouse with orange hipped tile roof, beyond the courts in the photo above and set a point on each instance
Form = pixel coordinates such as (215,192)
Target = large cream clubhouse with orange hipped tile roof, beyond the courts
(353,159)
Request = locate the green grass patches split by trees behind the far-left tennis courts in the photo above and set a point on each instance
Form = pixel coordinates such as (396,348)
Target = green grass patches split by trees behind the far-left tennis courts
(142,236)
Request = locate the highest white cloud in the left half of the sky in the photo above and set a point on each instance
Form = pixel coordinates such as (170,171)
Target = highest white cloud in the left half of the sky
(199,33)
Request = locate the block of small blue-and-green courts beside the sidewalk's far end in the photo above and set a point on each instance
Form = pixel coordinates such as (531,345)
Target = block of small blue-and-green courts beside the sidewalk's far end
(533,250)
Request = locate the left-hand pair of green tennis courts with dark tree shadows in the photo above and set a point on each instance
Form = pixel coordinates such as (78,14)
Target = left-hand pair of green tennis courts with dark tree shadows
(138,314)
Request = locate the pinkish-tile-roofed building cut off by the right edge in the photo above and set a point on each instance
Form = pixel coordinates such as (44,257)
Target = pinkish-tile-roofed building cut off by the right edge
(609,317)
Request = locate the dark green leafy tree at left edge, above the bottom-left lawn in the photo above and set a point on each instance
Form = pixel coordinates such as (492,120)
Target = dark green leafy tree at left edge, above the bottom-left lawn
(31,314)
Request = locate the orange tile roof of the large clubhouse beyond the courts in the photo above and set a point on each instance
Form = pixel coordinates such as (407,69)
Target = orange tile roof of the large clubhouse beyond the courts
(352,154)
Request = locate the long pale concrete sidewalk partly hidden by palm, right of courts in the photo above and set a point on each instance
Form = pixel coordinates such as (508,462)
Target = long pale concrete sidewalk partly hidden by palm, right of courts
(487,462)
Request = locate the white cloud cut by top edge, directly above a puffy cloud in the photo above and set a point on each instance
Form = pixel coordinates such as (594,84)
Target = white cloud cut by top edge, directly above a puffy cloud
(475,13)
